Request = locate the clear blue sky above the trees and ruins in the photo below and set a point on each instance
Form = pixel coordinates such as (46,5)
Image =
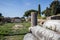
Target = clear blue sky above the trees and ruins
(16,8)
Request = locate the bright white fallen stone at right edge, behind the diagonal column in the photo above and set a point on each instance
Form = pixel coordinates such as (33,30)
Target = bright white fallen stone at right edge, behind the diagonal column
(52,24)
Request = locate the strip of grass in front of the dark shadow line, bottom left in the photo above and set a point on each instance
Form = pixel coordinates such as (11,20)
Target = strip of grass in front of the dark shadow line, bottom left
(16,37)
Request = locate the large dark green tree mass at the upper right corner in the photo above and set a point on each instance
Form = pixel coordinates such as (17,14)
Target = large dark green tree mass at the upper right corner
(54,9)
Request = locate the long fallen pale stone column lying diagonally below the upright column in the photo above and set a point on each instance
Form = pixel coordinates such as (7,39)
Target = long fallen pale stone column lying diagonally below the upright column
(44,34)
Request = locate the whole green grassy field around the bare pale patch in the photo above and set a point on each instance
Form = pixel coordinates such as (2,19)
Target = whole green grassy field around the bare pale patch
(7,29)
